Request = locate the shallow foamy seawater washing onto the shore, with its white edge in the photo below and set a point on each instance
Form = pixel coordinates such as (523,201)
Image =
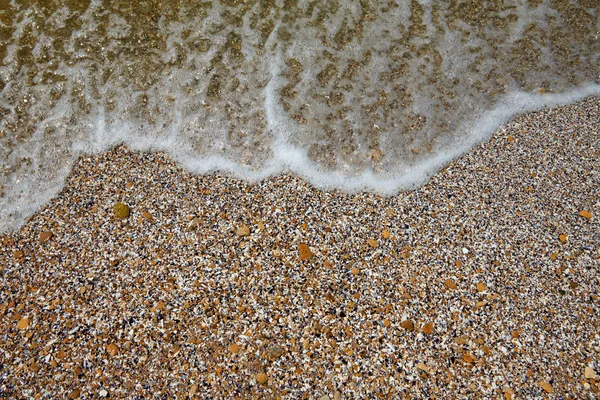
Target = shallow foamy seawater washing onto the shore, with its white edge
(358,95)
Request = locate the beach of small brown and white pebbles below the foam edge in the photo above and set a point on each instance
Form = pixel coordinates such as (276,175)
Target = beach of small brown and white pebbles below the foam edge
(143,281)
